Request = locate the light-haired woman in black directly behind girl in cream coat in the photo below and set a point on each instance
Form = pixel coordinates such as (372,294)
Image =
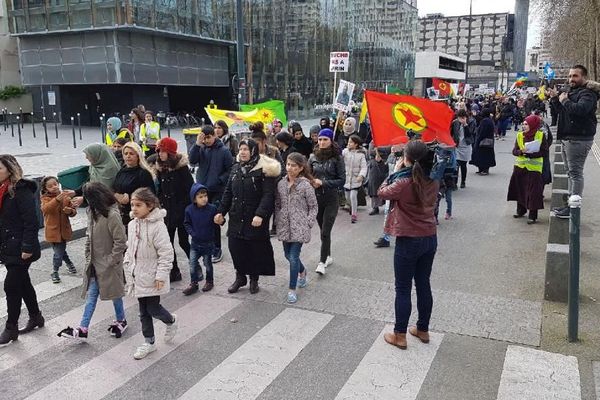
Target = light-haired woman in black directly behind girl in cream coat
(135,174)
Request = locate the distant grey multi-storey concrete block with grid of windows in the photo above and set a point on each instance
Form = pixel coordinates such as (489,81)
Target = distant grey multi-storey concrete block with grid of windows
(488,42)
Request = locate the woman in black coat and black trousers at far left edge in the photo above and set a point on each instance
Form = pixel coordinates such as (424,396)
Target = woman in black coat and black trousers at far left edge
(19,246)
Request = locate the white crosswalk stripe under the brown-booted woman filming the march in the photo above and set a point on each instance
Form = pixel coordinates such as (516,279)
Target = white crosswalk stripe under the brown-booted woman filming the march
(389,373)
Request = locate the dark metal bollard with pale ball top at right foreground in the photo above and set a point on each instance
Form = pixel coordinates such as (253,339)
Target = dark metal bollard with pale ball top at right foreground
(574,253)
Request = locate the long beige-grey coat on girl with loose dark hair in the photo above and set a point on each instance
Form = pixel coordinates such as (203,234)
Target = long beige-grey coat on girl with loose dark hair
(104,247)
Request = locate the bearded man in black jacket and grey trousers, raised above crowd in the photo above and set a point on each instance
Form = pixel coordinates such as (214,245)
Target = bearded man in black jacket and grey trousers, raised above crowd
(576,128)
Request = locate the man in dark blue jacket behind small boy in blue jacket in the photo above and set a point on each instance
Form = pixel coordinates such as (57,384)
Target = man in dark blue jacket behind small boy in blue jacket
(214,165)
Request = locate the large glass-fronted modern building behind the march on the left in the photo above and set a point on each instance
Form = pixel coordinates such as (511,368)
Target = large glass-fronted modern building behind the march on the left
(105,56)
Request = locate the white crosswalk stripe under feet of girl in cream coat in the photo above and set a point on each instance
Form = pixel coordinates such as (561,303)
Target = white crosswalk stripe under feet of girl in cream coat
(99,377)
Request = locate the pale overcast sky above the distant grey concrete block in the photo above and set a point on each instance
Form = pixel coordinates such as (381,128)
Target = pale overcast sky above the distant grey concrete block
(461,7)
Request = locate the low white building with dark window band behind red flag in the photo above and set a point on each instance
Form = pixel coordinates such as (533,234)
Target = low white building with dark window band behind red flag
(429,65)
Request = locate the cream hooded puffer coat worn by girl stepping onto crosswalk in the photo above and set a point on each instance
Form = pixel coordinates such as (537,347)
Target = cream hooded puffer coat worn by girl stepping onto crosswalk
(149,255)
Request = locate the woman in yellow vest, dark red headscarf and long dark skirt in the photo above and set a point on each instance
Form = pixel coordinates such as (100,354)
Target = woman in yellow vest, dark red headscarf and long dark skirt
(526,183)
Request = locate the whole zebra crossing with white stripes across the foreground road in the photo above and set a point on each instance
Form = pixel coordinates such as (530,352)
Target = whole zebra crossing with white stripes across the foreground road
(265,345)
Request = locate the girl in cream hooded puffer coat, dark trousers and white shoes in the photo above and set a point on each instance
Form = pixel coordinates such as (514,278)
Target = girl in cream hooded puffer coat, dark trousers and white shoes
(148,262)
